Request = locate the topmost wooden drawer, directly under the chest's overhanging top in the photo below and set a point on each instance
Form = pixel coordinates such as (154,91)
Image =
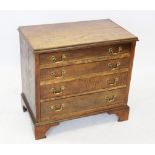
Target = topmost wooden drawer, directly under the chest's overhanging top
(61,58)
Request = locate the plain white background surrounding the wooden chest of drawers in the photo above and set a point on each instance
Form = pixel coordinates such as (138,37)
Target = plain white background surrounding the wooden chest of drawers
(15,126)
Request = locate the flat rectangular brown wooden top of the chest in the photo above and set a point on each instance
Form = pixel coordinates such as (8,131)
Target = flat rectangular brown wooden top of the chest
(52,36)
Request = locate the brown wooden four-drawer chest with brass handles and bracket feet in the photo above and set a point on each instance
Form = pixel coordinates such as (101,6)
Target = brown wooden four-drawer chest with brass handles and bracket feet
(72,70)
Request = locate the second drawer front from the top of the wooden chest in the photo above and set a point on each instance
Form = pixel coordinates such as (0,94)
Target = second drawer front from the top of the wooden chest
(74,71)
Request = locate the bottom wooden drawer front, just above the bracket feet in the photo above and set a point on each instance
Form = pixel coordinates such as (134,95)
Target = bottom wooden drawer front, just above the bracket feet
(75,106)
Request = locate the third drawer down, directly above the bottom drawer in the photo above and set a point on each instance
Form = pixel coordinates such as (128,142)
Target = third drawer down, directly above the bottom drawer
(82,85)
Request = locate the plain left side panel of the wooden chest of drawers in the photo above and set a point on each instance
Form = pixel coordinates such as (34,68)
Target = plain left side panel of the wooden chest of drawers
(28,74)
